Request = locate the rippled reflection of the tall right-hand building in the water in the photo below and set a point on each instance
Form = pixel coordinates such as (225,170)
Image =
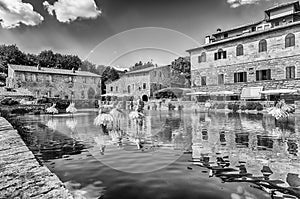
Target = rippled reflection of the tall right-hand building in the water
(266,153)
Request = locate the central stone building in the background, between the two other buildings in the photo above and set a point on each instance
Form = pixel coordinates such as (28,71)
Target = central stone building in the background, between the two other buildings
(142,82)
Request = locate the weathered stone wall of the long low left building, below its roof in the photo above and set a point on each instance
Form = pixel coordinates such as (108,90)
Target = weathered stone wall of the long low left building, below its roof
(58,85)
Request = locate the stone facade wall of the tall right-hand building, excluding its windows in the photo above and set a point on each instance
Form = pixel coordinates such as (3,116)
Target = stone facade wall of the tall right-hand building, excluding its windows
(277,58)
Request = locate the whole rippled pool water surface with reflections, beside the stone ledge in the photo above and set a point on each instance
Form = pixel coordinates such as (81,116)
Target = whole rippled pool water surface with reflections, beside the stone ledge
(171,154)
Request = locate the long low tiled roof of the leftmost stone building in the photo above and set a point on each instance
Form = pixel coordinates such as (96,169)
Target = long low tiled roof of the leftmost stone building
(33,69)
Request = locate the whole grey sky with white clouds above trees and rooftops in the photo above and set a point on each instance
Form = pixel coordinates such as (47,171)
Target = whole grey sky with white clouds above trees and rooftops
(121,32)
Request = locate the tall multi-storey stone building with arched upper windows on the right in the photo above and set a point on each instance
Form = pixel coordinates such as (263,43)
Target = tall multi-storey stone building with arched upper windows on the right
(264,55)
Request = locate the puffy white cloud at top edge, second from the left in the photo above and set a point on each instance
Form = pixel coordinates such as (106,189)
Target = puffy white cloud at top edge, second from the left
(70,10)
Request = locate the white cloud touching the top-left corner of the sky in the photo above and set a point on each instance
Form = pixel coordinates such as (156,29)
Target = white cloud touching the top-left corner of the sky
(15,12)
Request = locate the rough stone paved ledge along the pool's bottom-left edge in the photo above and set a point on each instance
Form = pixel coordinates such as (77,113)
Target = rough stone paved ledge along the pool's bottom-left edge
(21,176)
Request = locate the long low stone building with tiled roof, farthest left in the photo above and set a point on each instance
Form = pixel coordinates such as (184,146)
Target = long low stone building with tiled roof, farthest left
(51,82)
